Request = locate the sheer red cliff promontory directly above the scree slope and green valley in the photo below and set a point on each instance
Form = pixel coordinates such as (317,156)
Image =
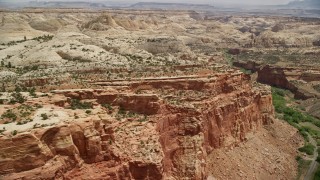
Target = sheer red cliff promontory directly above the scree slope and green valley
(188,135)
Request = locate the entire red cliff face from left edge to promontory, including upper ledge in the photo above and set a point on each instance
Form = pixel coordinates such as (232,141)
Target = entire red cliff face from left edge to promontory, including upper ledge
(173,144)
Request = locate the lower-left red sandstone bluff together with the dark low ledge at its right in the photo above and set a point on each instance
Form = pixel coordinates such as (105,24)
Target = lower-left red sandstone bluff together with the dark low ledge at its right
(52,152)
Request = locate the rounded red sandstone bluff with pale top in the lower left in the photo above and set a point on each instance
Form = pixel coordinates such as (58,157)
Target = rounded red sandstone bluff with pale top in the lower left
(28,151)
